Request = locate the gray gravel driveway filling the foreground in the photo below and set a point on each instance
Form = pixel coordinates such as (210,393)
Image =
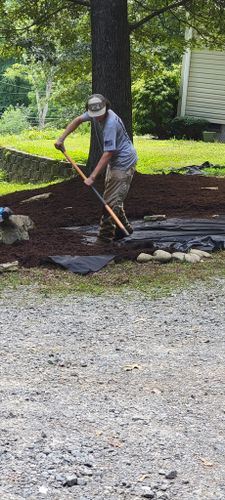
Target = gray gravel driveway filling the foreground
(112,397)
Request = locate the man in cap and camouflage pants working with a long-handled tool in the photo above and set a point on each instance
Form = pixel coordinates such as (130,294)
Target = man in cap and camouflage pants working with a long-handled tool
(118,155)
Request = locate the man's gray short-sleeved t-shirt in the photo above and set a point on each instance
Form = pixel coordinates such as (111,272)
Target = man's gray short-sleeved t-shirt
(115,139)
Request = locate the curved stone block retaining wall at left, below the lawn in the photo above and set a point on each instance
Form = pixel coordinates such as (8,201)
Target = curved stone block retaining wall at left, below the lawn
(24,167)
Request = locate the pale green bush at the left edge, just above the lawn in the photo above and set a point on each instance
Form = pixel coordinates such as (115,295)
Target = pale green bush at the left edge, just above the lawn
(13,120)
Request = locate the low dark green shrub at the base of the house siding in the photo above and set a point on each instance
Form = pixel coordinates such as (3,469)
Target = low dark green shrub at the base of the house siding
(188,127)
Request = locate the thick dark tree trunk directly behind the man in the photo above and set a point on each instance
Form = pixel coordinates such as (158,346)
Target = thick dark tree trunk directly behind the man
(111,62)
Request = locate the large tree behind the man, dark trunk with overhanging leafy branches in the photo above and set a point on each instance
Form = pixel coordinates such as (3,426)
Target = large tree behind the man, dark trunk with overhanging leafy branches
(113,25)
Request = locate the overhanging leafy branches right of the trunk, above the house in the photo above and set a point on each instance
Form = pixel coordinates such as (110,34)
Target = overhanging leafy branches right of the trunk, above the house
(165,28)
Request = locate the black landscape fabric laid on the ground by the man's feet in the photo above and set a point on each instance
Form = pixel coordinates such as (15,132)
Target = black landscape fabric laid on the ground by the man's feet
(173,235)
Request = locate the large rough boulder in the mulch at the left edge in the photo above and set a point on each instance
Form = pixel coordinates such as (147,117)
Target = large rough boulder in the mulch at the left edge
(16,228)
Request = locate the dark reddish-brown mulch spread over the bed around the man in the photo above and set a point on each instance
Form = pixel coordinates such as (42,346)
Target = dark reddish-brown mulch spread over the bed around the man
(72,203)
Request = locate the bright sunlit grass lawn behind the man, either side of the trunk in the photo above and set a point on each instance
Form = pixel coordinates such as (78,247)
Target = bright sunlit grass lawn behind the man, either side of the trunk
(154,155)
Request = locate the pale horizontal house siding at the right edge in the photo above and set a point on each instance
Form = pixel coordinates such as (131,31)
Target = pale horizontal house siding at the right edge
(203,92)
